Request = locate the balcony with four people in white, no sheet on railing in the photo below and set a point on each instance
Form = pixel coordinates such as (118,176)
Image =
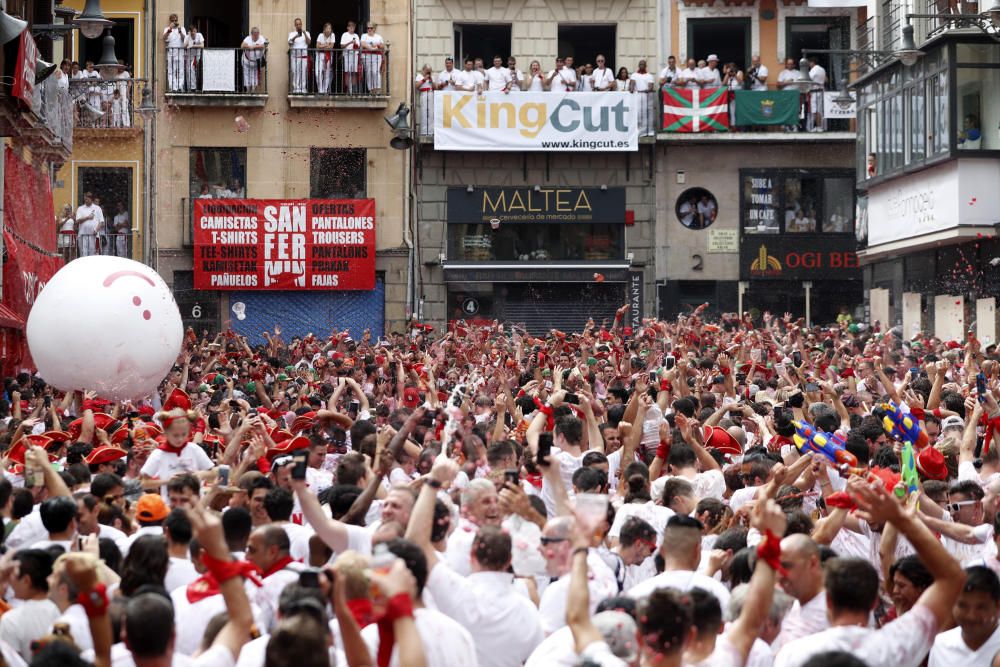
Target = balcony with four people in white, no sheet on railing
(338,78)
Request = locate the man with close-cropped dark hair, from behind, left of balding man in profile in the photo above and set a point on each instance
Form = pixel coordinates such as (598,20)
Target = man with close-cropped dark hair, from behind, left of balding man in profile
(681,551)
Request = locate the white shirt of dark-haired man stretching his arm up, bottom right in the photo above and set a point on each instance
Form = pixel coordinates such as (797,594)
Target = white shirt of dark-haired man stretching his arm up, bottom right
(902,643)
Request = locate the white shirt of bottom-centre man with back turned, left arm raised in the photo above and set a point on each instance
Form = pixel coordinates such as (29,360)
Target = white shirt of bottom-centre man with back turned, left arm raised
(505,626)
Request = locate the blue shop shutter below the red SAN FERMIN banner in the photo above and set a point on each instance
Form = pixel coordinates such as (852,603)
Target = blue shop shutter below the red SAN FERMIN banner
(302,313)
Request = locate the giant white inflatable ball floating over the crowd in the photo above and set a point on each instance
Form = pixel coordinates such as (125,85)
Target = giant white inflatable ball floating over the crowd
(107,324)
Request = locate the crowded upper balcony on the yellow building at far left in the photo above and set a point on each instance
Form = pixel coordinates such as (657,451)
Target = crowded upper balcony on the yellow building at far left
(106,107)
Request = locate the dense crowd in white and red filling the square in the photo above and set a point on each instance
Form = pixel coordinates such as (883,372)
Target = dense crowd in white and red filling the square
(734,492)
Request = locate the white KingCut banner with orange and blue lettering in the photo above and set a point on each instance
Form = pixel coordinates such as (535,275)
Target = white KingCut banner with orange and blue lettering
(523,121)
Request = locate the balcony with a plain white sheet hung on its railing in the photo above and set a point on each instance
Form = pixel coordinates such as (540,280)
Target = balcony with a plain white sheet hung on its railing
(217,77)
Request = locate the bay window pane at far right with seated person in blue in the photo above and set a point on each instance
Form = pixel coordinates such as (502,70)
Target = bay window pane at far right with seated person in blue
(978,114)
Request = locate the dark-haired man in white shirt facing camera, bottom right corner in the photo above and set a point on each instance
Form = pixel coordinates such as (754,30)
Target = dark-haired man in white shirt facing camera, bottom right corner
(977,638)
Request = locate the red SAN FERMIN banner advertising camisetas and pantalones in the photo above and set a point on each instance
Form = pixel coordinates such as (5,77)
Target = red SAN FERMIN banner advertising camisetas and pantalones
(284,244)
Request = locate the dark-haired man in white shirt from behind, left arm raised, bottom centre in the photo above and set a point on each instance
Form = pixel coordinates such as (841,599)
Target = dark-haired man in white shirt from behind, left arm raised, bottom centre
(504,624)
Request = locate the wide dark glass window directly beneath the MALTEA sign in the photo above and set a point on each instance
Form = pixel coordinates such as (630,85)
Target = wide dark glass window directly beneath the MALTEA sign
(536,243)
